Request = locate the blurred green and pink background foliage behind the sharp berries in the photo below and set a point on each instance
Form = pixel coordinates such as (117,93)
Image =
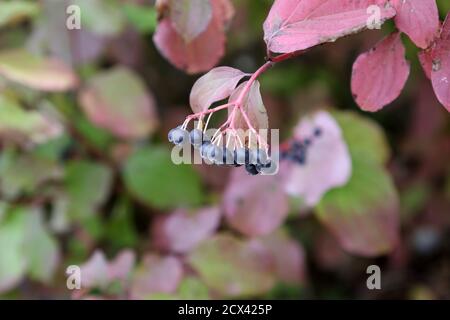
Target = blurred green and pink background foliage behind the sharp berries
(86,176)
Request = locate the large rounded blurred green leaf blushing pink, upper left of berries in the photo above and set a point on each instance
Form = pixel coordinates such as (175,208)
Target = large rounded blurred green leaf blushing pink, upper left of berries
(118,101)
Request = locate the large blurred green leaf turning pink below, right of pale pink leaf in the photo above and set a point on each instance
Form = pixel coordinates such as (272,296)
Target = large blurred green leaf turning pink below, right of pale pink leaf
(364,214)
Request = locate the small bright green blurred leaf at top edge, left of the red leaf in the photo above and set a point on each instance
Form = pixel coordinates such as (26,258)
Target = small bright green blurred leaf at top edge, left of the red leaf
(143,18)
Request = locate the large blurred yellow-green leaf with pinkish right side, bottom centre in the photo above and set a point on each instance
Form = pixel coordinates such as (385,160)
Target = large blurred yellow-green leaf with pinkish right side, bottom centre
(232,267)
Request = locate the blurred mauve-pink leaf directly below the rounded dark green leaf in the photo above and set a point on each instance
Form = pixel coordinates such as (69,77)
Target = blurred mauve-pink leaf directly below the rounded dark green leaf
(182,231)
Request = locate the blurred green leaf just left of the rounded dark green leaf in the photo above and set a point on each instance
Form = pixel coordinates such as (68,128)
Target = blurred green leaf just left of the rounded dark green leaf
(87,185)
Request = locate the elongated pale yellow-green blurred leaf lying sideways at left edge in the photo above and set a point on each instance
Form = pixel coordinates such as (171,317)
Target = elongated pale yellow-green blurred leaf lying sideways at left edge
(46,74)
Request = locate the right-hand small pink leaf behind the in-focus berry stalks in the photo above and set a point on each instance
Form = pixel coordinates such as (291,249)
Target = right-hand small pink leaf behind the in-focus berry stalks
(254,107)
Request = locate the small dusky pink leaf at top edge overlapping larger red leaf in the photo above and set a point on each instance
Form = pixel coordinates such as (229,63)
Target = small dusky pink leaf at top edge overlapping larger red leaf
(190,17)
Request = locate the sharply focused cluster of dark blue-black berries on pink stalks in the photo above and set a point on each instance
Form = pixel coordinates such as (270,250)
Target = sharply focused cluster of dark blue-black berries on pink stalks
(256,161)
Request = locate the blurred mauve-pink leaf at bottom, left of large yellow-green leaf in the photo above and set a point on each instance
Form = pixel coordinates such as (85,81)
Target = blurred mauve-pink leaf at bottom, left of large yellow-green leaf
(156,275)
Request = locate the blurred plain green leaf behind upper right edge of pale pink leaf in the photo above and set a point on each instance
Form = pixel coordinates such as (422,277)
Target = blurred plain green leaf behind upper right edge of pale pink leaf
(365,138)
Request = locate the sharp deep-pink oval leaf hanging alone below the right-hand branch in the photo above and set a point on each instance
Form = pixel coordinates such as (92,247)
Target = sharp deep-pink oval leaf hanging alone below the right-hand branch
(379,75)
